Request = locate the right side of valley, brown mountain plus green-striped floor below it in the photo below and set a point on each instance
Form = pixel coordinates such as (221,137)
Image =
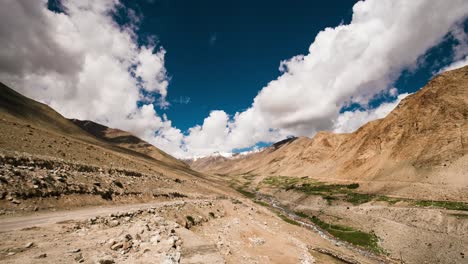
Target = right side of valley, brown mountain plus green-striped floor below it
(387,188)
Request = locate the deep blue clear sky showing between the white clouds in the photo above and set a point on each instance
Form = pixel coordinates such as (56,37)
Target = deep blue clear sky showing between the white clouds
(220,54)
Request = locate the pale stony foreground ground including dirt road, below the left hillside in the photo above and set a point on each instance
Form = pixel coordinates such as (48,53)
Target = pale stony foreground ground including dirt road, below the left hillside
(183,231)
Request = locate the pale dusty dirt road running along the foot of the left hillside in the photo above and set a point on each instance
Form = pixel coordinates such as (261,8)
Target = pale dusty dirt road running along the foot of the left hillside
(42,219)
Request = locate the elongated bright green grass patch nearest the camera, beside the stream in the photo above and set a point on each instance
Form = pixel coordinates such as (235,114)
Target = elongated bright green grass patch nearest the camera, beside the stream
(348,234)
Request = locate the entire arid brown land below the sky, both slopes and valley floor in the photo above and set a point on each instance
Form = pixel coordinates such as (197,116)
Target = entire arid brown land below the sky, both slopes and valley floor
(79,192)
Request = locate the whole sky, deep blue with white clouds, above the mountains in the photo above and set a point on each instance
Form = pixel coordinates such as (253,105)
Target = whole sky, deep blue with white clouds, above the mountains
(200,77)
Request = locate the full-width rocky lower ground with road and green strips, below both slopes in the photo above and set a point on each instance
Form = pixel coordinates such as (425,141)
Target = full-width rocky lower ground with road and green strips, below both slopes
(54,211)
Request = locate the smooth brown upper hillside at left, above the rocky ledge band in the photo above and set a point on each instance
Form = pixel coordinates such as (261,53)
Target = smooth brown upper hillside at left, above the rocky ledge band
(32,127)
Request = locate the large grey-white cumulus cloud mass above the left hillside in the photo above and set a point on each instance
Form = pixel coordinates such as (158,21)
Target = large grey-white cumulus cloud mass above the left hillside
(86,66)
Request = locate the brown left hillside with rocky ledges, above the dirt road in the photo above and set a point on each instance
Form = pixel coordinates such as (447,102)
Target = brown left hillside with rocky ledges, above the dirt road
(46,161)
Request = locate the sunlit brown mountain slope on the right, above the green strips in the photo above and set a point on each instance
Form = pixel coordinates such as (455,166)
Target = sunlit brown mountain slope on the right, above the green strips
(421,145)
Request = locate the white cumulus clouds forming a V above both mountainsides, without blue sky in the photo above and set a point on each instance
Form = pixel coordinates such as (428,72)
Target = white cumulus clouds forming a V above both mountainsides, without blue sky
(86,65)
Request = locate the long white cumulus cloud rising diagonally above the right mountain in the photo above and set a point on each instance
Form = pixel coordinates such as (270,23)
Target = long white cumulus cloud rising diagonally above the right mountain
(351,63)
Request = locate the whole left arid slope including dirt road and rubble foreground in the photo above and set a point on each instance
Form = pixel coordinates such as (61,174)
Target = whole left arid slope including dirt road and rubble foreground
(151,209)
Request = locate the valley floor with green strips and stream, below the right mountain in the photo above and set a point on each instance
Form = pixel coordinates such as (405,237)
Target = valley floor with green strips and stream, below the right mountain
(378,224)
